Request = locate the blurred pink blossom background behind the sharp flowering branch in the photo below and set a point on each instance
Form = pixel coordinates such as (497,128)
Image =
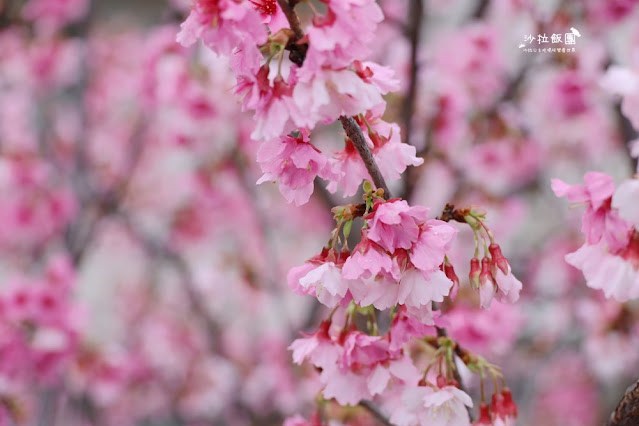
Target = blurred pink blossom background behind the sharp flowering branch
(144,273)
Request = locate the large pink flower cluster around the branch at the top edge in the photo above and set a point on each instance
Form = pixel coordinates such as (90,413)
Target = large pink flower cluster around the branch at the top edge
(326,76)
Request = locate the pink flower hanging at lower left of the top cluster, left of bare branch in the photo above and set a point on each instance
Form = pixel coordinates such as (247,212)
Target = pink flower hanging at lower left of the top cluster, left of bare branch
(295,163)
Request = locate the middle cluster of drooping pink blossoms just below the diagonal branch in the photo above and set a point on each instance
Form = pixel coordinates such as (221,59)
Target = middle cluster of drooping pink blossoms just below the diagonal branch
(397,262)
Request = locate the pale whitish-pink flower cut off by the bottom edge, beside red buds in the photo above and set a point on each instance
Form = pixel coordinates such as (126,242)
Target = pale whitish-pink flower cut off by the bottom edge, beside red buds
(429,406)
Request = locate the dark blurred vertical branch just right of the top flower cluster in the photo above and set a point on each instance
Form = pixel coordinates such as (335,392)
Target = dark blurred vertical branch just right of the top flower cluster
(413,33)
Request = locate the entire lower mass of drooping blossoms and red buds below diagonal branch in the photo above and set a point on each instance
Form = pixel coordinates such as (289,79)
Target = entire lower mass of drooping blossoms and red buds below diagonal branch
(400,264)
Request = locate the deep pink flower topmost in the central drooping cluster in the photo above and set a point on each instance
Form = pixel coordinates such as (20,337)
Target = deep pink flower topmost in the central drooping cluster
(394,224)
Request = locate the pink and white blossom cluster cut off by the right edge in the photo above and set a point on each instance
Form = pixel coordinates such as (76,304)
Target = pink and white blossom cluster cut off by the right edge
(609,259)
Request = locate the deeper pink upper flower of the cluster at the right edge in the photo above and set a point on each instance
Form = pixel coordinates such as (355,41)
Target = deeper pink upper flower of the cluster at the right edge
(599,221)
